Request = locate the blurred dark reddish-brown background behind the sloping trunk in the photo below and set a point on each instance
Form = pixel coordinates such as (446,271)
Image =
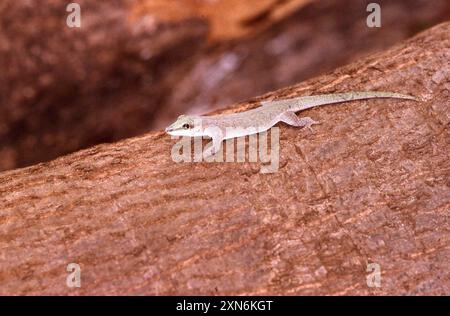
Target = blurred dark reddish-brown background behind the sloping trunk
(135,65)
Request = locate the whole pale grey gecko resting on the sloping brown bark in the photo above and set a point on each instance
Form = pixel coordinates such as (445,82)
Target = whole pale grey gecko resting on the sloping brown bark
(225,126)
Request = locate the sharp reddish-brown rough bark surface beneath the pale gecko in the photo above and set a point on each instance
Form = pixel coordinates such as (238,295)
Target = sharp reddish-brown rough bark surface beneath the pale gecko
(371,185)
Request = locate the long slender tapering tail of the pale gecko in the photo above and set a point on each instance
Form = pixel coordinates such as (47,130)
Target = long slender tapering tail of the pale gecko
(303,103)
